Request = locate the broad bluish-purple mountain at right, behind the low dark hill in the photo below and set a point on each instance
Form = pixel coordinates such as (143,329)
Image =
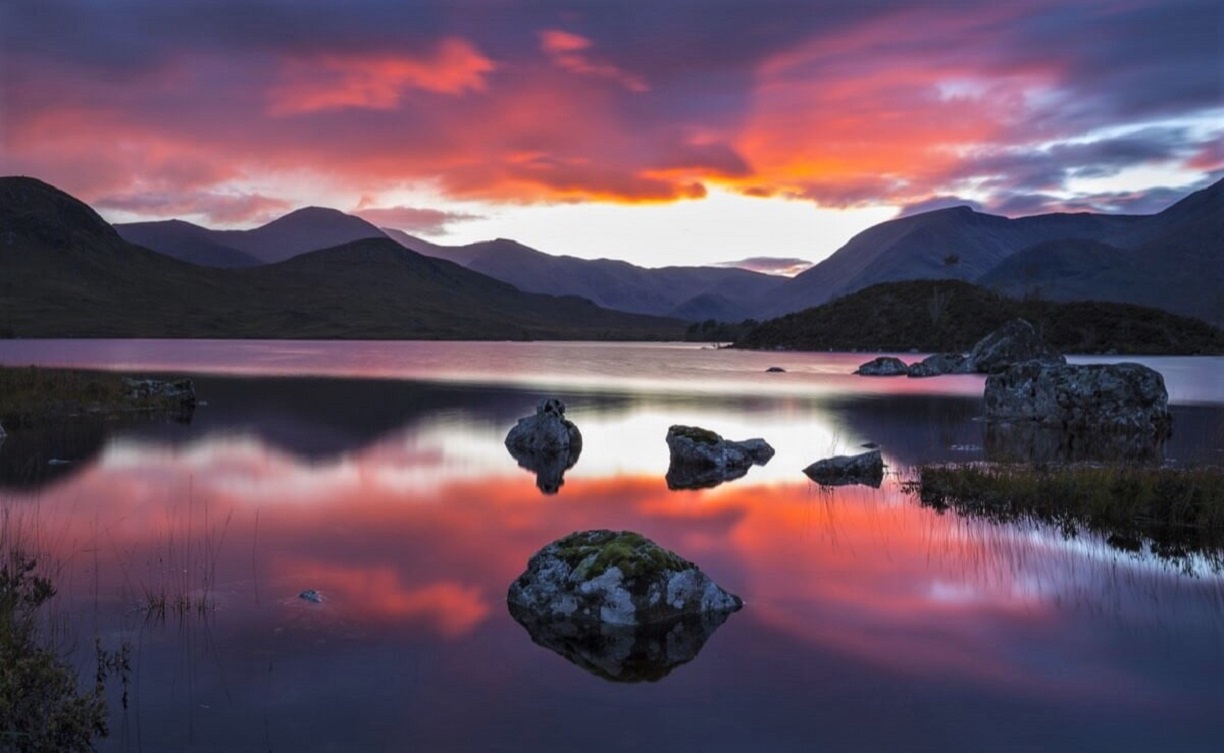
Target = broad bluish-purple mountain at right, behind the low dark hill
(1172,260)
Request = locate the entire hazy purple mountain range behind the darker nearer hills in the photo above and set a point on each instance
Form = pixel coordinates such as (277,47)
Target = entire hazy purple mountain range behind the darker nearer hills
(1172,260)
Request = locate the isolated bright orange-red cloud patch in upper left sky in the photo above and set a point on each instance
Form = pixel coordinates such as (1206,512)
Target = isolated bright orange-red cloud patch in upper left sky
(378,81)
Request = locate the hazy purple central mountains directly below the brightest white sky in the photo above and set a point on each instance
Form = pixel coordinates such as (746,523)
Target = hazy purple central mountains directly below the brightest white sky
(688,293)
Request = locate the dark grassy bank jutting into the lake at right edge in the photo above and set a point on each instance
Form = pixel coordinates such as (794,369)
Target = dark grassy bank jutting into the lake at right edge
(1177,511)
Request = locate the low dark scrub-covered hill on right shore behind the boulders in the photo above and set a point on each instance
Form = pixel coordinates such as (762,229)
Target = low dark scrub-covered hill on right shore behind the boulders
(936,317)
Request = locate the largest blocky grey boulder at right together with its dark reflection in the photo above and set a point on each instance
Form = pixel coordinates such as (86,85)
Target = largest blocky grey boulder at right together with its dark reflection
(1045,412)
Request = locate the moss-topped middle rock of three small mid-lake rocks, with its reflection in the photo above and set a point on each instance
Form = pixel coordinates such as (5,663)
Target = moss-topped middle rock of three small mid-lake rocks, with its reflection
(701,459)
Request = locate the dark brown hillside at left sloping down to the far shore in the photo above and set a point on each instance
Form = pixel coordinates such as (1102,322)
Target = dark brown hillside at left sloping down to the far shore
(68,274)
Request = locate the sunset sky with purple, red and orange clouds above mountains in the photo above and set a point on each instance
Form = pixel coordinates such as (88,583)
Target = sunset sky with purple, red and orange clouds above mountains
(682,133)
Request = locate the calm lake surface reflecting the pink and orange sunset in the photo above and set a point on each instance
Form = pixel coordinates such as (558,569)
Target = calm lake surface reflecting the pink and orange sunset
(376,476)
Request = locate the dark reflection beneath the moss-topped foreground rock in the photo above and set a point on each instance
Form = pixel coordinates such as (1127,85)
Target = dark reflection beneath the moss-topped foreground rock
(620,653)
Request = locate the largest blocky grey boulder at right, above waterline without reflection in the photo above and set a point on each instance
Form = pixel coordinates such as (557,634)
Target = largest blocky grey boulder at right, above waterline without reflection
(1100,397)
